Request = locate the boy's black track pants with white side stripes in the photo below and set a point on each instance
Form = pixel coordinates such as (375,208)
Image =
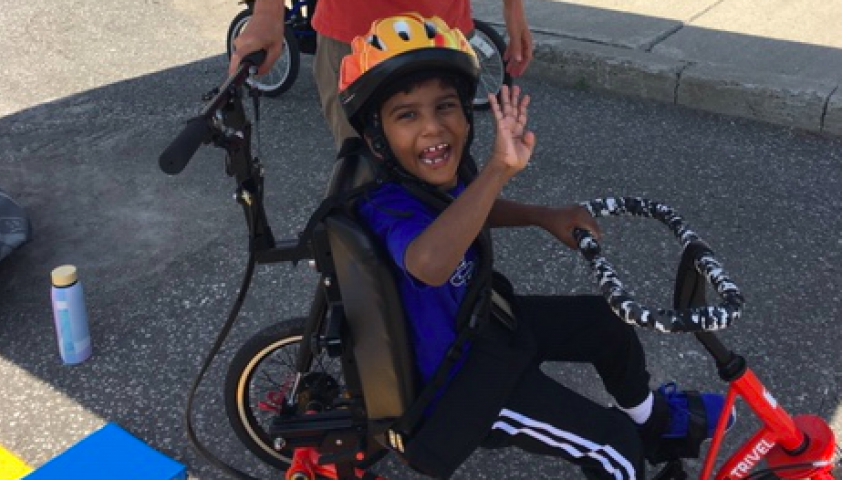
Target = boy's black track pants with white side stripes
(545,417)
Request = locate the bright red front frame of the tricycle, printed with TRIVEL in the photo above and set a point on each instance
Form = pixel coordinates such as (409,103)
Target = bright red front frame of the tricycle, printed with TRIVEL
(782,441)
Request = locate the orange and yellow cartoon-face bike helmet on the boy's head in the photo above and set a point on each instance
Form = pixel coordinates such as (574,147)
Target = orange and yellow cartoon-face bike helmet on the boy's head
(398,46)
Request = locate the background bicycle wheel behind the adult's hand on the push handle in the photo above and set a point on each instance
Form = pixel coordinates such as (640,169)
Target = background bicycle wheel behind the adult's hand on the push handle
(284,72)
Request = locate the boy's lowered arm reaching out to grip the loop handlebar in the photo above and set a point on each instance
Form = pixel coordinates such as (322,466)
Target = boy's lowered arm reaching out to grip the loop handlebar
(559,221)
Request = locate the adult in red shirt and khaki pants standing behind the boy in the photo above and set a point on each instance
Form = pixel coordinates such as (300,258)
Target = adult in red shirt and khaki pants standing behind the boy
(337,22)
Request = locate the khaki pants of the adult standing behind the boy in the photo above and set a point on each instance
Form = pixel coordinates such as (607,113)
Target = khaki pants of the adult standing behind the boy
(326,64)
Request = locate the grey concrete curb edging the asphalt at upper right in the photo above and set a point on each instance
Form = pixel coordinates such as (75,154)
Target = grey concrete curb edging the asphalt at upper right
(783,100)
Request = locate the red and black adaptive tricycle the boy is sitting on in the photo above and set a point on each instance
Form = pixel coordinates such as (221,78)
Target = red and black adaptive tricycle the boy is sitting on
(319,396)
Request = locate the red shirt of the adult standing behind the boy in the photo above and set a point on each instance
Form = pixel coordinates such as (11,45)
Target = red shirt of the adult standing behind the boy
(345,19)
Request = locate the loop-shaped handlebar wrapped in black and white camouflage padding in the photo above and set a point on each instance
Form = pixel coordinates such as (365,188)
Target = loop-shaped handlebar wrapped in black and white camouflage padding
(694,319)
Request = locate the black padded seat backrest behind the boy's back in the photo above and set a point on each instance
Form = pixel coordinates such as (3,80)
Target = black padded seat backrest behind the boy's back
(371,301)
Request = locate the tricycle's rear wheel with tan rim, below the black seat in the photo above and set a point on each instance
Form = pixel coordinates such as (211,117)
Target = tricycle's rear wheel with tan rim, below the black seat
(258,379)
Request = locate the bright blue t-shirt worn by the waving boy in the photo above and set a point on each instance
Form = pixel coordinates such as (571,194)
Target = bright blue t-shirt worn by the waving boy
(397,217)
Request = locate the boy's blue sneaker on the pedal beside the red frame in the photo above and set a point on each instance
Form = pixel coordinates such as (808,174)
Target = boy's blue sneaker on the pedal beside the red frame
(681,421)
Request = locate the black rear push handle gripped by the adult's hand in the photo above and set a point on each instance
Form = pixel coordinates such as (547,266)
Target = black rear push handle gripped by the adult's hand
(199,129)
